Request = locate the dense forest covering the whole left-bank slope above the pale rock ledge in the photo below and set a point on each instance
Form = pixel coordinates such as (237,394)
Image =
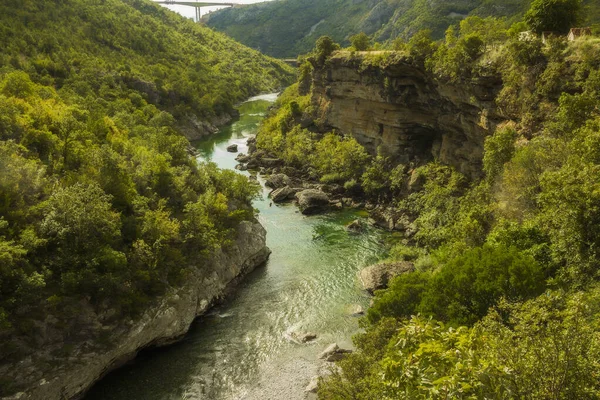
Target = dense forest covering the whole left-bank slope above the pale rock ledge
(100,200)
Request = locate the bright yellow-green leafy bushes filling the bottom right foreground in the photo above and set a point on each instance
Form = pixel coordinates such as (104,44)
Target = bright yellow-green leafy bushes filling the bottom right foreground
(546,348)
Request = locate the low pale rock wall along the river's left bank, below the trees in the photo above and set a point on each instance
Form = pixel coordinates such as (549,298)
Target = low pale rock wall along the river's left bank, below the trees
(52,373)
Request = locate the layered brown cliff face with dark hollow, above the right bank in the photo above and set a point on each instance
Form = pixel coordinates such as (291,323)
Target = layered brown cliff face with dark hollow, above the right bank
(386,101)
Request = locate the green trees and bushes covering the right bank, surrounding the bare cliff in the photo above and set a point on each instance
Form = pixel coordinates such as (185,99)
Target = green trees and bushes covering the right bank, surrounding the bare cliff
(503,303)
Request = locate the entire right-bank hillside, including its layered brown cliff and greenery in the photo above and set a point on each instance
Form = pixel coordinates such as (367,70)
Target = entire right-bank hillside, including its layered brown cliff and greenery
(483,151)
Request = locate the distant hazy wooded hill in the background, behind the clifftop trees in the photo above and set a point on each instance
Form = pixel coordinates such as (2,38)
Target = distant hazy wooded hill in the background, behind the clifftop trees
(286,28)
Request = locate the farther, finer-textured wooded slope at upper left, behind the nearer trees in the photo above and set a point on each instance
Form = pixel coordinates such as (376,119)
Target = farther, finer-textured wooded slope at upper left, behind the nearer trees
(174,64)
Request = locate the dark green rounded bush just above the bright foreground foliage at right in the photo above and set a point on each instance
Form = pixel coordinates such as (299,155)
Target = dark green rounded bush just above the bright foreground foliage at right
(463,289)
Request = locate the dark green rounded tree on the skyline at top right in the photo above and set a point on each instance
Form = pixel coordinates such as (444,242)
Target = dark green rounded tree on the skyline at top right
(553,15)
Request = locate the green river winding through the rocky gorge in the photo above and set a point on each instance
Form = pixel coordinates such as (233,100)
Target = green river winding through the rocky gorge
(241,349)
